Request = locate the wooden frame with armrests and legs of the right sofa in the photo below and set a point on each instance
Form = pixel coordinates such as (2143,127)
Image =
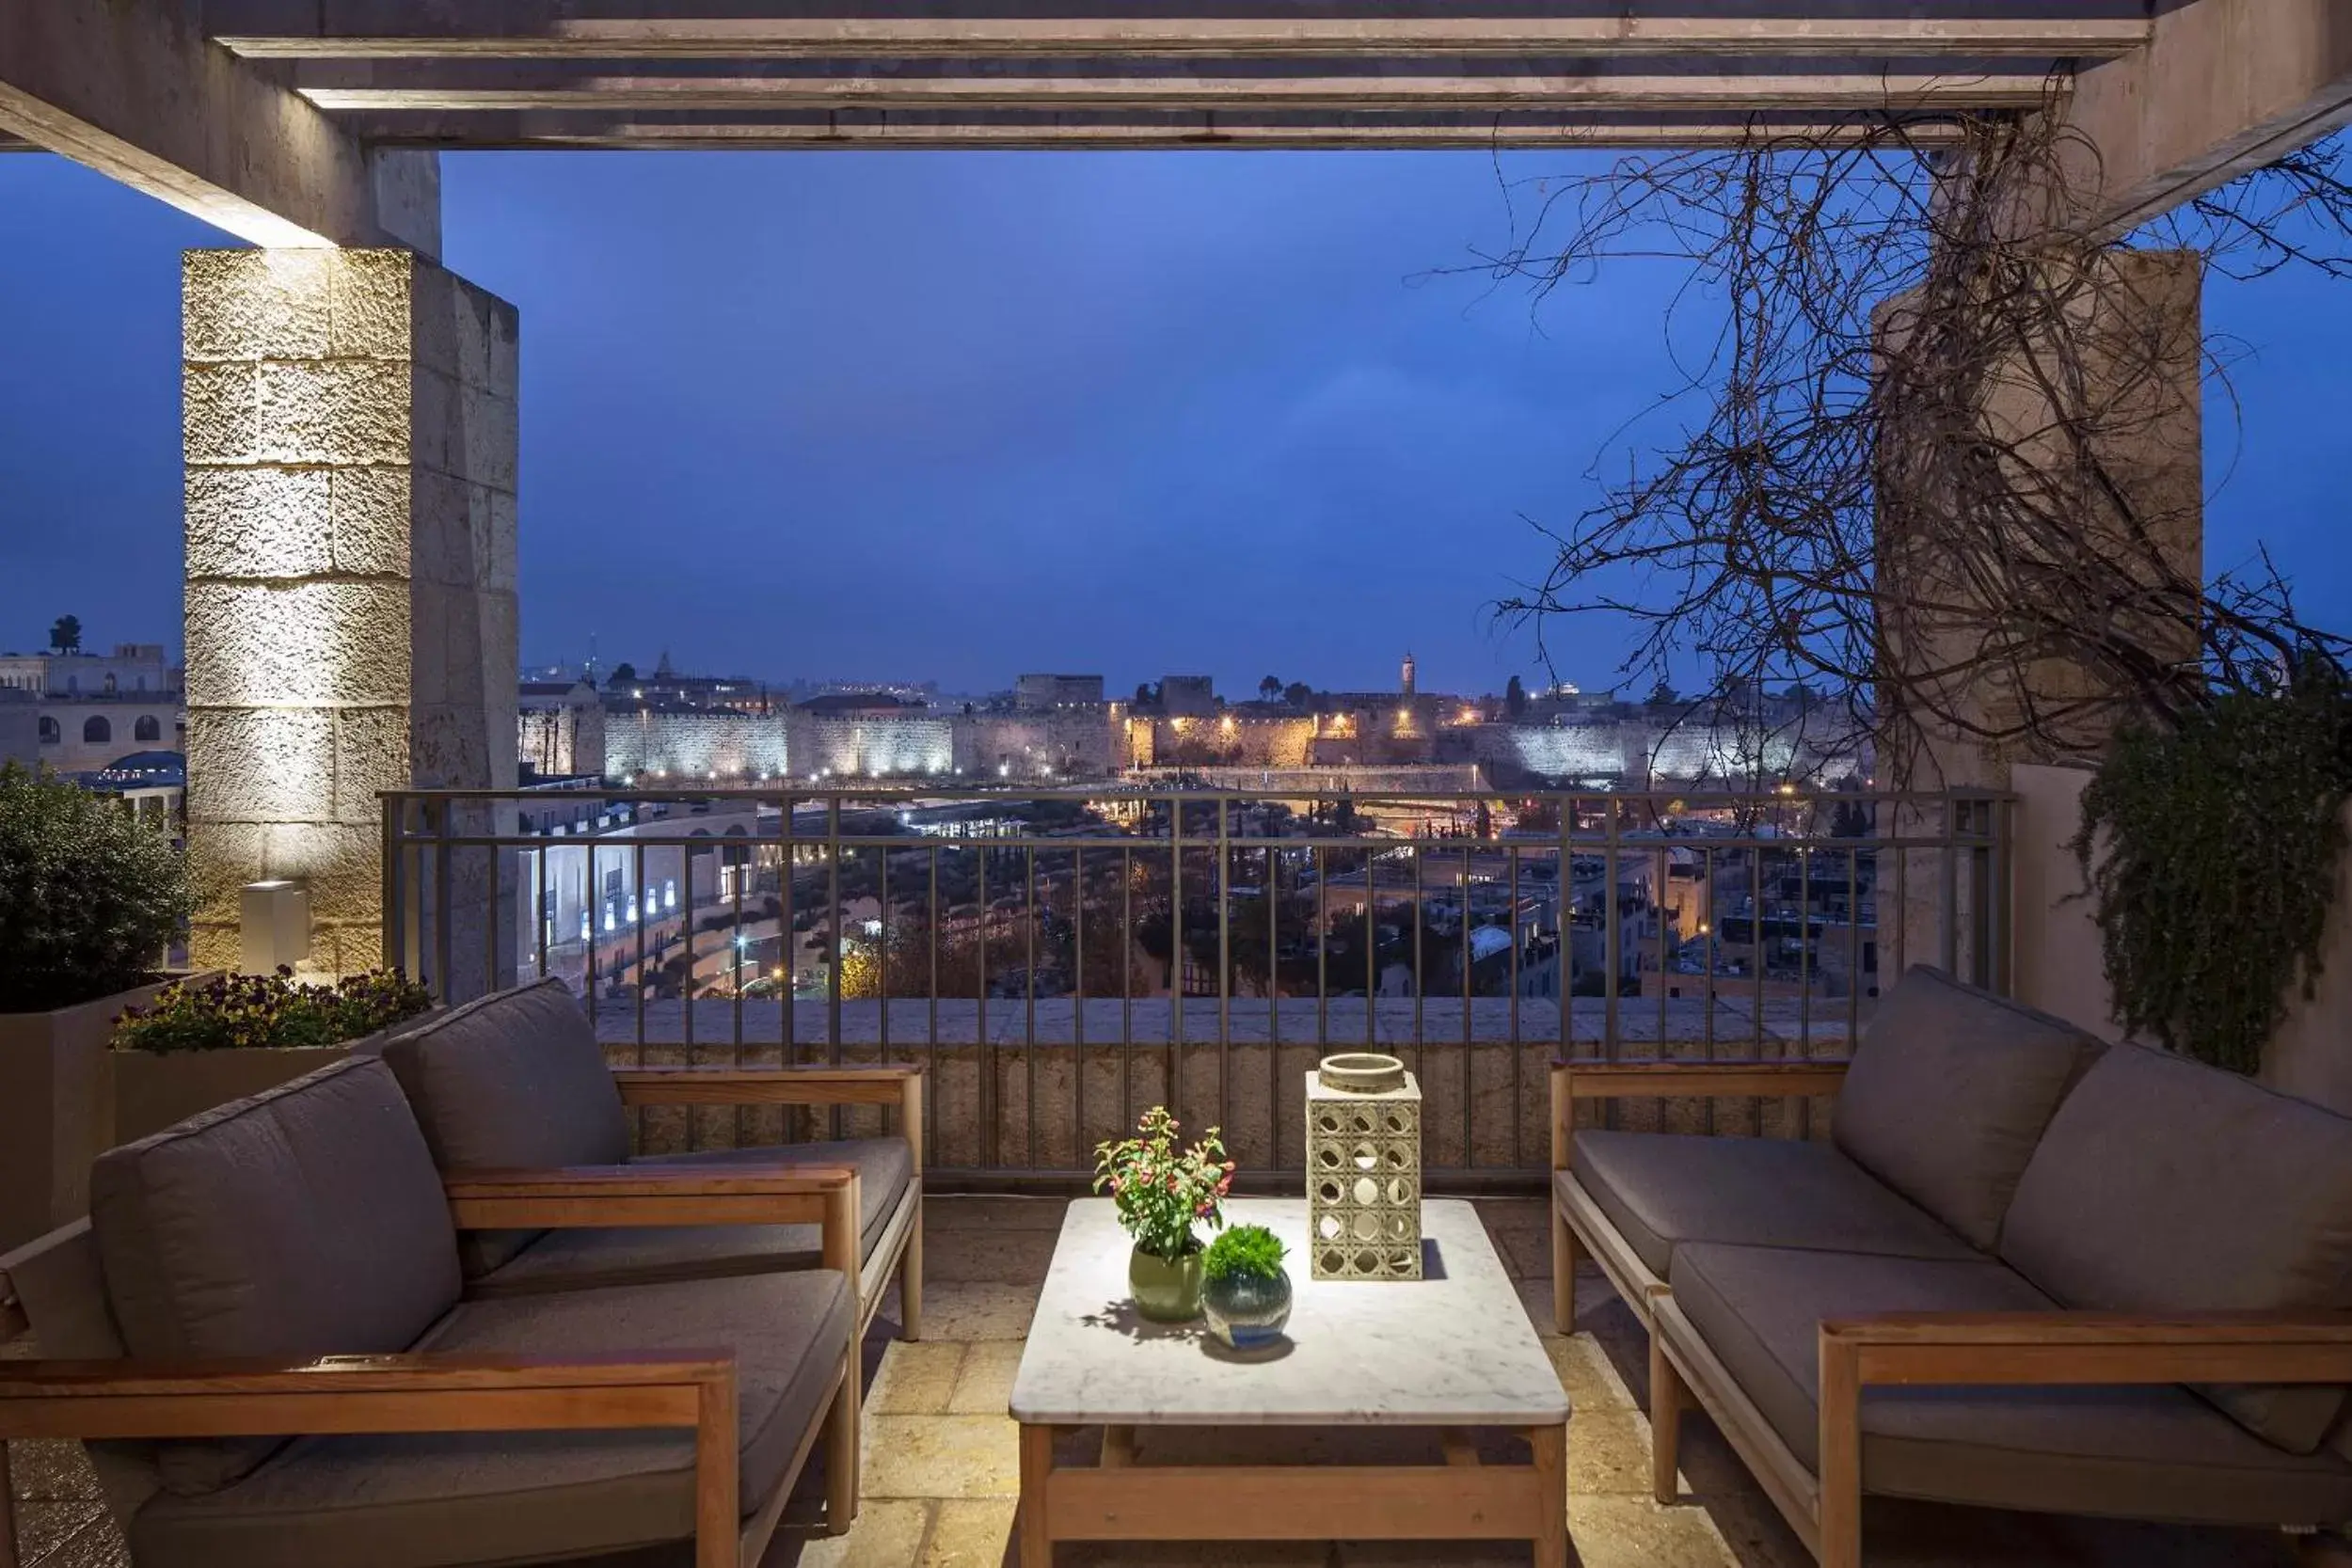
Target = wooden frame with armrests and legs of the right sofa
(1885,1351)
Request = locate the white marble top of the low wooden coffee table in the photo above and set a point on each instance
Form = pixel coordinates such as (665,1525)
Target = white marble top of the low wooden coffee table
(1450,1351)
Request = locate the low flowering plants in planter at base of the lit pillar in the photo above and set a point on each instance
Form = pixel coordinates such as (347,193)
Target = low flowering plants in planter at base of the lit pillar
(272,1012)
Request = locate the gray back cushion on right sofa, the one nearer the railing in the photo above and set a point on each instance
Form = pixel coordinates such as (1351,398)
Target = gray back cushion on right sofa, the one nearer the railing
(1949,1094)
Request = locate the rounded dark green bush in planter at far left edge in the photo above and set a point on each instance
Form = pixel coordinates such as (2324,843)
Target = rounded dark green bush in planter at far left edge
(91,897)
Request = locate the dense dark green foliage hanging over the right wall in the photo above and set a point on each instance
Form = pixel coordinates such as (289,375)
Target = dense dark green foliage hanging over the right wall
(2212,850)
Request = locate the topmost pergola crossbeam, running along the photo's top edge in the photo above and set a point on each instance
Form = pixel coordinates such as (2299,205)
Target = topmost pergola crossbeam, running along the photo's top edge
(608,29)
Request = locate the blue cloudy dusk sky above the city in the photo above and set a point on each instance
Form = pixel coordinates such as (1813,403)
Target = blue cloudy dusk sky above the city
(965,415)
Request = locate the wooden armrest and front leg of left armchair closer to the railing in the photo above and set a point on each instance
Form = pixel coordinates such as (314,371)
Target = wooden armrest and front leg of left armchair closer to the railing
(900,1252)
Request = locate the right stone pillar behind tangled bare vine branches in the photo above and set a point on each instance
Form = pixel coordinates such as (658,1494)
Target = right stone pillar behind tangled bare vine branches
(2134,497)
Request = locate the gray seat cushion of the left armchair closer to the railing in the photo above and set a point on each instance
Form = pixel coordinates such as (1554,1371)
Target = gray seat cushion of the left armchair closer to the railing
(580,1259)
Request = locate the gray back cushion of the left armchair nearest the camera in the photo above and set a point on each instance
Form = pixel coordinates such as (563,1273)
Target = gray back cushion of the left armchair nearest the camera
(300,1224)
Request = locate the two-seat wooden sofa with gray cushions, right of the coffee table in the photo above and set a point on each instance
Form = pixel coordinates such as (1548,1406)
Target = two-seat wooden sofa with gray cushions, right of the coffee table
(2026,1271)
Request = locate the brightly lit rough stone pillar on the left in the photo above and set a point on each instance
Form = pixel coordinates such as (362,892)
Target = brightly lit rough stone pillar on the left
(352,570)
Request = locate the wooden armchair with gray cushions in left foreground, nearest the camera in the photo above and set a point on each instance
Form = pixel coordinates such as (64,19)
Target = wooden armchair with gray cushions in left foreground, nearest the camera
(265,1341)
